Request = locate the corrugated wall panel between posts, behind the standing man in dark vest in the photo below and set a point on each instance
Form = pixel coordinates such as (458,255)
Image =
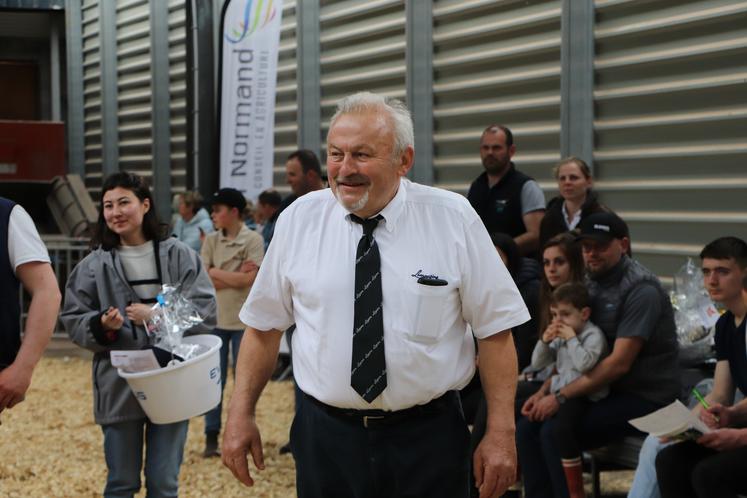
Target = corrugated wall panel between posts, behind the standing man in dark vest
(495,62)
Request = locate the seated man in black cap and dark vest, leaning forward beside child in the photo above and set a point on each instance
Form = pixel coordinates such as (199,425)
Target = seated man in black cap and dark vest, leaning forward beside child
(635,314)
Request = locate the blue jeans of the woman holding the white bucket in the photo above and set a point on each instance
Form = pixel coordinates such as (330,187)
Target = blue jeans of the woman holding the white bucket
(123,449)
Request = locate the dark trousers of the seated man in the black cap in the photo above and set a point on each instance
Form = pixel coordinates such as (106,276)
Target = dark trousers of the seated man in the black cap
(603,422)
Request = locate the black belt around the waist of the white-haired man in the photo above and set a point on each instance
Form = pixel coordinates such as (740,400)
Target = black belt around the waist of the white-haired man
(377,418)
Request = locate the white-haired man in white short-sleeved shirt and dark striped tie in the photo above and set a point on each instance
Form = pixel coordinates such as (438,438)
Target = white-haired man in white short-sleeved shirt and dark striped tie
(386,281)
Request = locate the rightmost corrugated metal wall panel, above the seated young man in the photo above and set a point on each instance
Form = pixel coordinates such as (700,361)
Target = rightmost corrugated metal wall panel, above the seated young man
(671,122)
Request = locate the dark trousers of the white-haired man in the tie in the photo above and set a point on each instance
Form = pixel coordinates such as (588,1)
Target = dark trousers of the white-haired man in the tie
(412,458)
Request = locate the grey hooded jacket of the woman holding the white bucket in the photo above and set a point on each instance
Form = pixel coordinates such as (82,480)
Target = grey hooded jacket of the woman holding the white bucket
(98,282)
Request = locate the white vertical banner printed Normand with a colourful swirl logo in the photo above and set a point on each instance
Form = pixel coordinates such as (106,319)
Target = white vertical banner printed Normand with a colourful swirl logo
(251,35)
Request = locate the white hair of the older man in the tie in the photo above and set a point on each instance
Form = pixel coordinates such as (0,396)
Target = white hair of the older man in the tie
(398,114)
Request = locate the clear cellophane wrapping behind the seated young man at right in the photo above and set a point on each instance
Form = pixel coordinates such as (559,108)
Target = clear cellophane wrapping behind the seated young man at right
(694,312)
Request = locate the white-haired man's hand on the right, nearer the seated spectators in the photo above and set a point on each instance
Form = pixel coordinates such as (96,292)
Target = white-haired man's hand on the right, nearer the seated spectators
(495,464)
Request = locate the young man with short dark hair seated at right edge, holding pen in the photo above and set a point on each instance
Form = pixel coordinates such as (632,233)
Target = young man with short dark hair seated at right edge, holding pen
(724,264)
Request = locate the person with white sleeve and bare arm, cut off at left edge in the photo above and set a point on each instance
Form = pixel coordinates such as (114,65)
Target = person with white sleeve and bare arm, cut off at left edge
(24,259)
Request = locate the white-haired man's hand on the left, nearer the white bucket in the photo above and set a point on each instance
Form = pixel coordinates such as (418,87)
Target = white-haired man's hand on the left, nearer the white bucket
(240,438)
